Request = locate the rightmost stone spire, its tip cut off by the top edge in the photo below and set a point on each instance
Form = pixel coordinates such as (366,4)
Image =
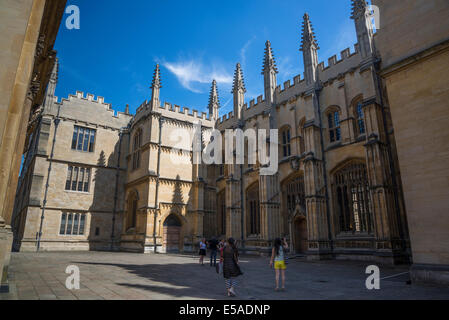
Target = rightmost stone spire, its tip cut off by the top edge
(363,26)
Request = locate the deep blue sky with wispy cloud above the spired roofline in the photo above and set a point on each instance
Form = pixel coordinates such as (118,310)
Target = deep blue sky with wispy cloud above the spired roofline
(114,52)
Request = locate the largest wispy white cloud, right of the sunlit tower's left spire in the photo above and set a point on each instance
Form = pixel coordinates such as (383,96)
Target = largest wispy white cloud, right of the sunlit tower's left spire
(192,73)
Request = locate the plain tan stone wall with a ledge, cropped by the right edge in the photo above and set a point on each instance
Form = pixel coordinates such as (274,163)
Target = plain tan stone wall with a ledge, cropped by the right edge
(413,42)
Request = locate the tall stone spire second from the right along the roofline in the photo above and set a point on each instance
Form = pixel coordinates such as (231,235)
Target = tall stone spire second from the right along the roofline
(309,47)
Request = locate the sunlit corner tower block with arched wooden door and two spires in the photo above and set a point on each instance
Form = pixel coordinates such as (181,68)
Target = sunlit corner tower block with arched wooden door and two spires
(167,196)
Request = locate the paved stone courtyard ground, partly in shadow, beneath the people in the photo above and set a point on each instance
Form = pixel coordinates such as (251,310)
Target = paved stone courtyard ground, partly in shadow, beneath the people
(106,275)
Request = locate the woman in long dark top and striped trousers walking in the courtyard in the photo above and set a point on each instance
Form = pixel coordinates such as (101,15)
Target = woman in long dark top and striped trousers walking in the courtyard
(231,269)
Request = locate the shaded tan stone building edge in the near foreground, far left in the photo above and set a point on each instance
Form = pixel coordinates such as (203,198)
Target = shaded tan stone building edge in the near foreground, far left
(29,30)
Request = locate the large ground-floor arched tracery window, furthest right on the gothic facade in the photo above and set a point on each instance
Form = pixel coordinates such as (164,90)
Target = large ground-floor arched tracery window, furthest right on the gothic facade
(352,201)
